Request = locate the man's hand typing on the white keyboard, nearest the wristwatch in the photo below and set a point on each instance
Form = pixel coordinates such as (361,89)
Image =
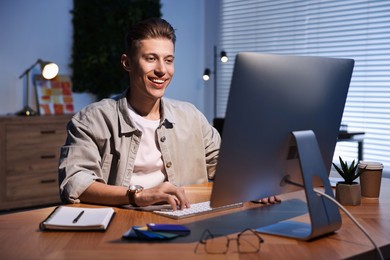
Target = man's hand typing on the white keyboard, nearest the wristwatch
(165,192)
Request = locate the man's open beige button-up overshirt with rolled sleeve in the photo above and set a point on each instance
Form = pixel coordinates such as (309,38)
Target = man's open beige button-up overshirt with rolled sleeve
(103,141)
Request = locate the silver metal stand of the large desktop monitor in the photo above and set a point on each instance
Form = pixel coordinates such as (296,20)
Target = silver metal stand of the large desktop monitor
(324,214)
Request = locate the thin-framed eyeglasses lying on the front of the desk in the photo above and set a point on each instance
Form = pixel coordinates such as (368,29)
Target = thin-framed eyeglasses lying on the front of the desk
(248,241)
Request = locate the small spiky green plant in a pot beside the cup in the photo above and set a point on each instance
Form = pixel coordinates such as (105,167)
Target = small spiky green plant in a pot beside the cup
(348,192)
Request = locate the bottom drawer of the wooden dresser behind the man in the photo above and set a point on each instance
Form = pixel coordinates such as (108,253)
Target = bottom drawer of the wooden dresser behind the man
(32,185)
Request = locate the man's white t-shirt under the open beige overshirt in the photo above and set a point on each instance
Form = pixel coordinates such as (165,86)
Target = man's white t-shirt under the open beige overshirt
(148,166)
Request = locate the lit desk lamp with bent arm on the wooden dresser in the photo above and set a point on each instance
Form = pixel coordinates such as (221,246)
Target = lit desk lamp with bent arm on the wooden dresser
(49,70)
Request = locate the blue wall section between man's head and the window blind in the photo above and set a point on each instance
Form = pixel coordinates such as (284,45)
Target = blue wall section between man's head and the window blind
(188,19)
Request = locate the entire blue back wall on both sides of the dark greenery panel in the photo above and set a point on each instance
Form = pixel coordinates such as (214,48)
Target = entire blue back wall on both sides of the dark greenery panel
(43,29)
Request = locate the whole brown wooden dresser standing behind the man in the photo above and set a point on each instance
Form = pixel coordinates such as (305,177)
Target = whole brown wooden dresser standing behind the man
(29,153)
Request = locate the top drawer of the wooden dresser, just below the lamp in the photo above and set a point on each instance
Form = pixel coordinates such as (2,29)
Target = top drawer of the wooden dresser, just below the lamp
(42,135)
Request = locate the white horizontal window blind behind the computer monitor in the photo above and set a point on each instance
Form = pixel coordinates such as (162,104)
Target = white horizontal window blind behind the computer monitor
(357,29)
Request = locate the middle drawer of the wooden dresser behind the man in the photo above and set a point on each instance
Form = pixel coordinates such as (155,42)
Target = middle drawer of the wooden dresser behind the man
(40,159)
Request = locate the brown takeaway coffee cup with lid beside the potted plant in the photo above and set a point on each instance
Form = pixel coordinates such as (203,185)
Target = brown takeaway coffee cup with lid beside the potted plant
(370,179)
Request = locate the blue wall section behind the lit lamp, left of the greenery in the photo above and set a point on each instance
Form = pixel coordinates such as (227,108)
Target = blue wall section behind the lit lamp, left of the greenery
(30,30)
